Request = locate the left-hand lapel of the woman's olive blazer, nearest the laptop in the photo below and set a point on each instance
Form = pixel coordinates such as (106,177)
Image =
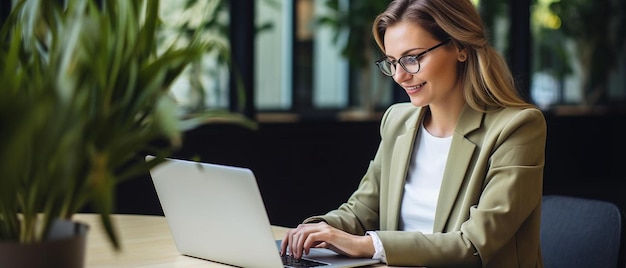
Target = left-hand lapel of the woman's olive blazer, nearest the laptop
(401,156)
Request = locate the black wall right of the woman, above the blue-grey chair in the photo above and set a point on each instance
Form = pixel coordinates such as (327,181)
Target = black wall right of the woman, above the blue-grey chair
(586,156)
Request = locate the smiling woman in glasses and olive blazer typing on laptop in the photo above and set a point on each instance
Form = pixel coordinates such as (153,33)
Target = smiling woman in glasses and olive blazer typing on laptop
(457,178)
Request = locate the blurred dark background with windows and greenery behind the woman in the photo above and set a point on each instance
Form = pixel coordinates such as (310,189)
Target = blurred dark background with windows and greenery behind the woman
(304,71)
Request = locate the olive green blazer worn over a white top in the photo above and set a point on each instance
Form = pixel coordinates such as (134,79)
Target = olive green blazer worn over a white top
(489,208)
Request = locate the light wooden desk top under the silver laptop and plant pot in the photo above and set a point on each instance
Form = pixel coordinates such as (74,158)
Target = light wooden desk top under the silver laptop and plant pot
(146,242)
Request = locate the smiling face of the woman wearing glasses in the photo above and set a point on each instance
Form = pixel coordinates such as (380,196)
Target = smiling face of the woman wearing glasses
(436,82)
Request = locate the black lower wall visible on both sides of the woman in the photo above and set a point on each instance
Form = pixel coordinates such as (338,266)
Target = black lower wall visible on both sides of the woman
(308,168)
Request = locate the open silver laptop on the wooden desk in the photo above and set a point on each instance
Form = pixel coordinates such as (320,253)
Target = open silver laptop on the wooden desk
(216,212)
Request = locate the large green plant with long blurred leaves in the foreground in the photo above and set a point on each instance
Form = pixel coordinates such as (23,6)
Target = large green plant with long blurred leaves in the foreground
(84,97)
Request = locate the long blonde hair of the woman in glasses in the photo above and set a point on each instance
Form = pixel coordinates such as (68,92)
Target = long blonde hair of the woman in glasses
(487,80)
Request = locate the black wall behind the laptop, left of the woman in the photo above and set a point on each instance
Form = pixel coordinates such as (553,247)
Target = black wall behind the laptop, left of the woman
(303,169)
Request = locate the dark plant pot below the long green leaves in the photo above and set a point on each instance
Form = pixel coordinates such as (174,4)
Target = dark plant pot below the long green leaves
(65,247)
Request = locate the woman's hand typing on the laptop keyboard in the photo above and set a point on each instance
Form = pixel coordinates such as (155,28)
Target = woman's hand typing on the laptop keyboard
(321,235)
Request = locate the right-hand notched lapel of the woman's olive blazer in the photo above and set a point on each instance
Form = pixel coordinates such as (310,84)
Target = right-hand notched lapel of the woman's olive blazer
(459,157)
